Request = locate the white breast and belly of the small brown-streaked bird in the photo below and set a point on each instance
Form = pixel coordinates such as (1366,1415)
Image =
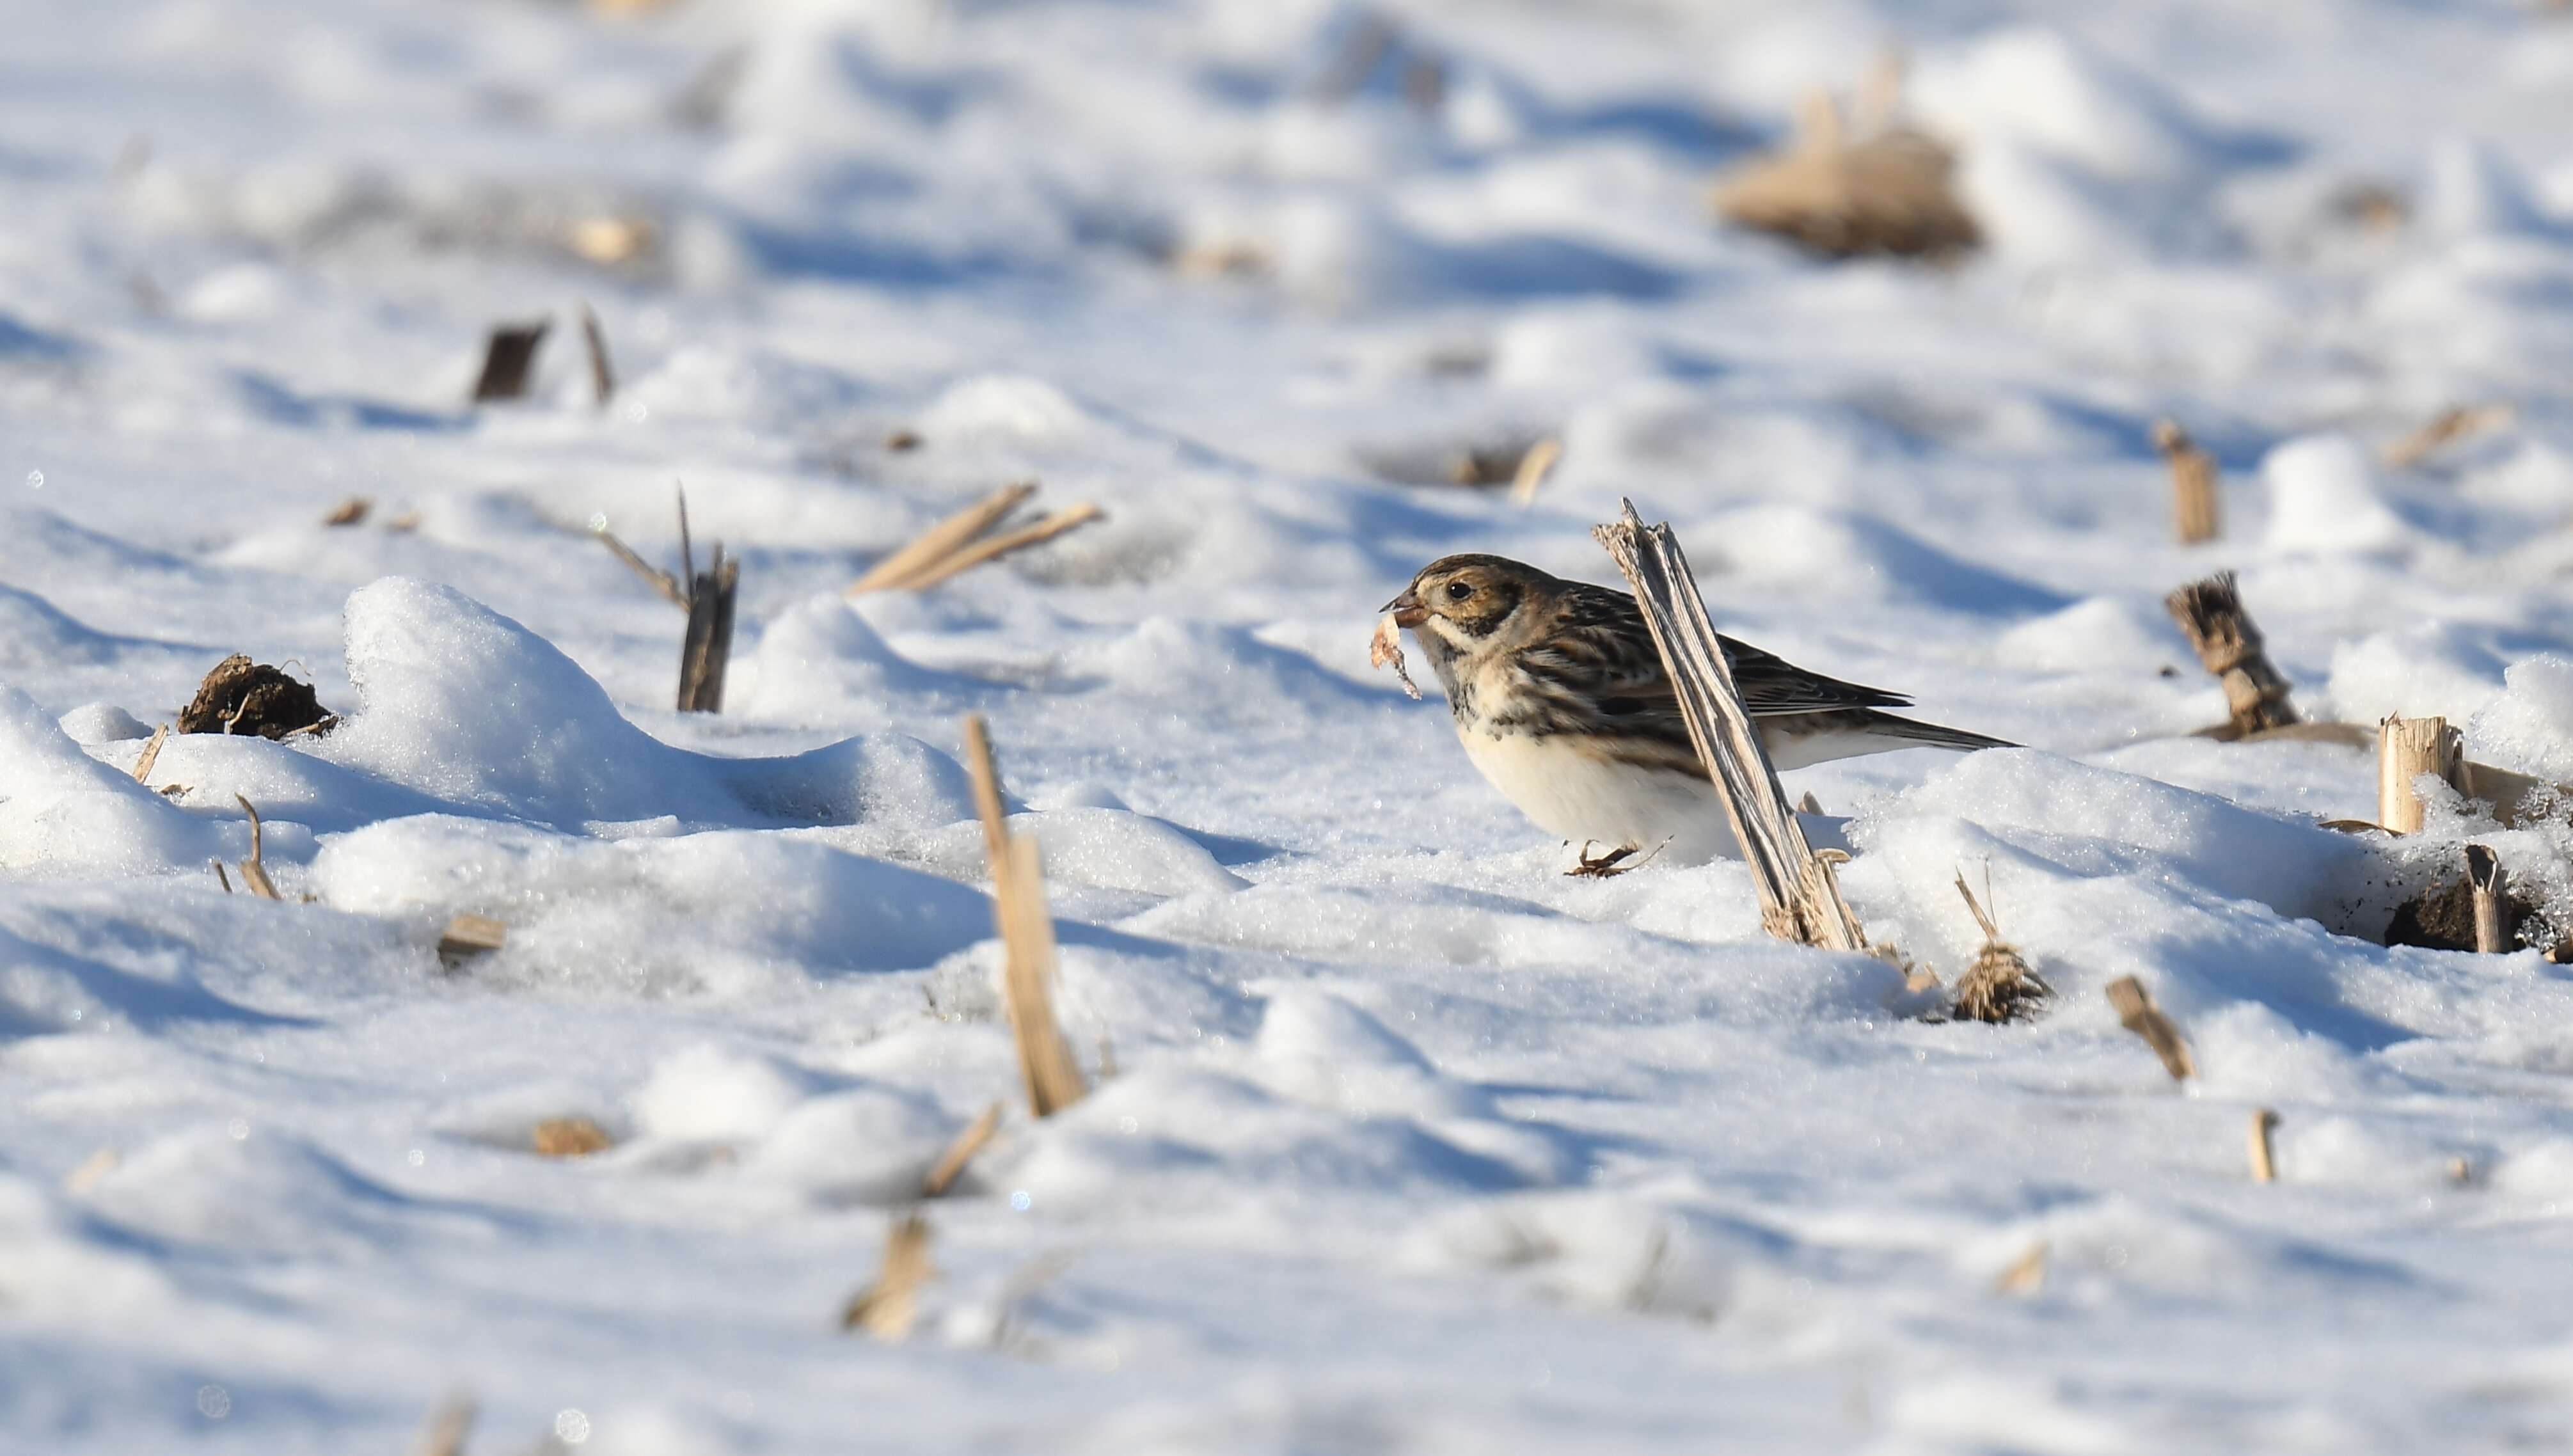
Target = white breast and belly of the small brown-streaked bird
(1581,796)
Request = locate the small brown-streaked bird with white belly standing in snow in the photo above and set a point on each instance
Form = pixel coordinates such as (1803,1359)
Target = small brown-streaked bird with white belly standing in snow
(1566,709)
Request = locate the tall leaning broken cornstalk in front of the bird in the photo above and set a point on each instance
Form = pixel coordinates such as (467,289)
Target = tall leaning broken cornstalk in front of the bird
(1800,896)
